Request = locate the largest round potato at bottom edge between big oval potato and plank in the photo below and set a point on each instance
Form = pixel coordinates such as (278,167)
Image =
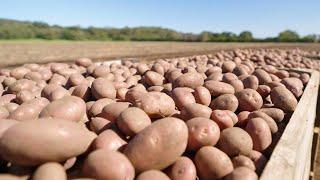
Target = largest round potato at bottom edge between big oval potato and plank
(212,163)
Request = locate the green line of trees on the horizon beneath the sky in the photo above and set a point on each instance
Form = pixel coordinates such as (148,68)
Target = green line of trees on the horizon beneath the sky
(12,29)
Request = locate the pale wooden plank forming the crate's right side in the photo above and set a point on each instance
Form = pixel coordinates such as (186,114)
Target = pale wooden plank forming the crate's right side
(290,158)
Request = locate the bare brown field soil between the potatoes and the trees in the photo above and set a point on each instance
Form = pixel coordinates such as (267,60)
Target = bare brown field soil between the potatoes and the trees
(14,53)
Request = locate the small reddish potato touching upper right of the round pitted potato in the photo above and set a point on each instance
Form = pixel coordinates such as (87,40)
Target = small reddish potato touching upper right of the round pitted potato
(222,118)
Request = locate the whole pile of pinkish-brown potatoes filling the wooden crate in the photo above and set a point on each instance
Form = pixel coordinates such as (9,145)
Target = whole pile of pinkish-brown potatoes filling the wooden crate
(184,118)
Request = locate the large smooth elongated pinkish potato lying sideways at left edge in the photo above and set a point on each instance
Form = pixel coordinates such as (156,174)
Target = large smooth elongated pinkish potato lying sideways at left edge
(48,132)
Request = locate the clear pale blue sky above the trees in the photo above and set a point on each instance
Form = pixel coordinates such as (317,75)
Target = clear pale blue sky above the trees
(262,17)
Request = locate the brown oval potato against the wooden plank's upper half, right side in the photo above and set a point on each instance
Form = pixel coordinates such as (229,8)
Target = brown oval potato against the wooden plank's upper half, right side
(283,99)
